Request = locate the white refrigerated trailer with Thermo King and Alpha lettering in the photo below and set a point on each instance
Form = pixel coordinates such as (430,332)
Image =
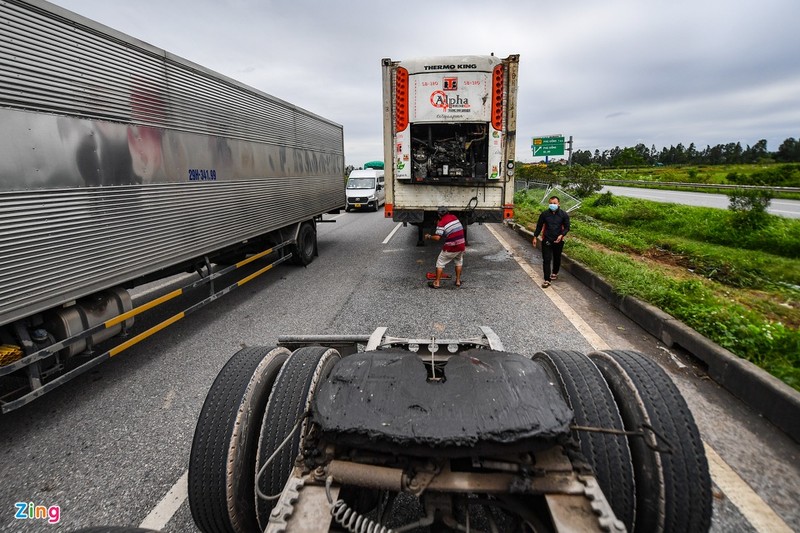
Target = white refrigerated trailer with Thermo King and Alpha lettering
(449,126)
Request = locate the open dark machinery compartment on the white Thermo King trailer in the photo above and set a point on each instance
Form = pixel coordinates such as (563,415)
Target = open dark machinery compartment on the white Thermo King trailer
(449,153)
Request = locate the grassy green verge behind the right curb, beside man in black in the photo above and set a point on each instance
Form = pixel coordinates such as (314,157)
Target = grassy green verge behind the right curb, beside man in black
(737,285)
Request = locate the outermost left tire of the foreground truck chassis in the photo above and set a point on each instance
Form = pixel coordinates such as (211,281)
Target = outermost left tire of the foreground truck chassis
(223,456)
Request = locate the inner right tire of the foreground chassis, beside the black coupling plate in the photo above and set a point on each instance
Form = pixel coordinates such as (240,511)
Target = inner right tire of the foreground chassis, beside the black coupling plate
(586,391)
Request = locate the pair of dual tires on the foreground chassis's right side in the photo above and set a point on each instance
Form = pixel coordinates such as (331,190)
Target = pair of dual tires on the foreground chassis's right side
(657,479)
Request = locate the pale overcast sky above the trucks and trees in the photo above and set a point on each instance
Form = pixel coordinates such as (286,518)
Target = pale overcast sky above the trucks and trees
(608,72)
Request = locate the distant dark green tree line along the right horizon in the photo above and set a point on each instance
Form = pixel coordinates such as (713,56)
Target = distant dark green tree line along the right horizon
(721,154)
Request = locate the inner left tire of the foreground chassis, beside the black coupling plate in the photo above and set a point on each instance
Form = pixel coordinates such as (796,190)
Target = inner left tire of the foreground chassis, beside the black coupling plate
(290,398)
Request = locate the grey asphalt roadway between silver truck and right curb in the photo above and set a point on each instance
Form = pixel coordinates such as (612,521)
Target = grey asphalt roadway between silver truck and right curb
(112,447)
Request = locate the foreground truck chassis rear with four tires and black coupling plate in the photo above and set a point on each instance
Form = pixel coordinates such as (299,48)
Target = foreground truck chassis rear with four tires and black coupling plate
(280,446)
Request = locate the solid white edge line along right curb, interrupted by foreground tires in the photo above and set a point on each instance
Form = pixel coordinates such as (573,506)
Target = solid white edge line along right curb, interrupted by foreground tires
(754,509)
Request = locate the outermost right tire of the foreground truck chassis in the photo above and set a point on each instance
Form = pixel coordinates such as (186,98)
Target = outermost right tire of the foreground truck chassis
(673,489)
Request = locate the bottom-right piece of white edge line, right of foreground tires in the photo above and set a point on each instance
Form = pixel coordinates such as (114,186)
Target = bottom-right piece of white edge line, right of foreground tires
(755,510)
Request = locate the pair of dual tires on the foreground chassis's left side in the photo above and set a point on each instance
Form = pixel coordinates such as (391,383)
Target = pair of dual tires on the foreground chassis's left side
(251,407)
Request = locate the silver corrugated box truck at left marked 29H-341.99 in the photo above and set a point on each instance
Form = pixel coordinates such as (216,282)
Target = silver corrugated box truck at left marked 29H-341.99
(121,163)
